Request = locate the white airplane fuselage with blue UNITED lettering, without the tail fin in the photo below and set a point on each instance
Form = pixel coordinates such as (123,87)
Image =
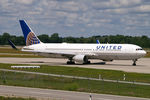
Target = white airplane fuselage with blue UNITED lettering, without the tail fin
(92,51)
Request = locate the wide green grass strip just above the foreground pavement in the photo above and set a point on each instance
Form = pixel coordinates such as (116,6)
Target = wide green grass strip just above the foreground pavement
(48,82)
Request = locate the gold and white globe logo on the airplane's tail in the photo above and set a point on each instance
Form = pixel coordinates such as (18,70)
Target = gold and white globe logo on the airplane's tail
(32,39)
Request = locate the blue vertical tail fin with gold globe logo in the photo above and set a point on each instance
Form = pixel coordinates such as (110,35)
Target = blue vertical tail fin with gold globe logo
(29,35)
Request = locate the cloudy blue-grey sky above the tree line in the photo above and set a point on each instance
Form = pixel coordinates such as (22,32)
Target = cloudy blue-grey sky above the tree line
(77,17)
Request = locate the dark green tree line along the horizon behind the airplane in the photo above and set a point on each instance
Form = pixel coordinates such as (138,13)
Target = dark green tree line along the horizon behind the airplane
(142,41)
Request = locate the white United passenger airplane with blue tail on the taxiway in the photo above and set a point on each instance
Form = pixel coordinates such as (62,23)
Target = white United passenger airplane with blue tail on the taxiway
(78,52)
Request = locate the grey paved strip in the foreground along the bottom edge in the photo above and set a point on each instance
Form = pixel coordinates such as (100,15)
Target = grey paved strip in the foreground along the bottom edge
(48,94)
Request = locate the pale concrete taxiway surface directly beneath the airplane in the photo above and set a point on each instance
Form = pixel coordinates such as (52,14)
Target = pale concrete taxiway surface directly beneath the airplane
(143,64)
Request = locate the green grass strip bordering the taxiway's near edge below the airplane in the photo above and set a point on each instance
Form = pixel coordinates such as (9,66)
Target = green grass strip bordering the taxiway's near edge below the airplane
(85,72)
